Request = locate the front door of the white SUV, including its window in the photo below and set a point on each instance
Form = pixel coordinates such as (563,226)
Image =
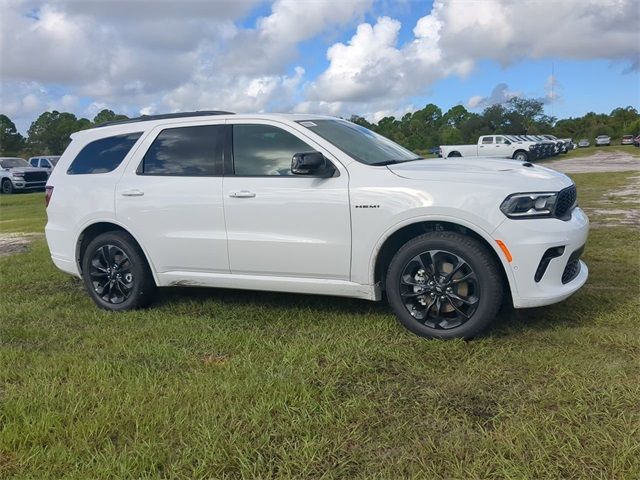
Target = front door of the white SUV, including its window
(278,223)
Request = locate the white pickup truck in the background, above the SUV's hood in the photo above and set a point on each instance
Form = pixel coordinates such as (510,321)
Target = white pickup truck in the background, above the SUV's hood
(492,146)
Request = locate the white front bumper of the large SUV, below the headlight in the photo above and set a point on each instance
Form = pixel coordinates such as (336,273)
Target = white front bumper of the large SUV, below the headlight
(546,266)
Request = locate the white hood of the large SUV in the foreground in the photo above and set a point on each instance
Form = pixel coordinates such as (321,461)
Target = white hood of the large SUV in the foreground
(495,171)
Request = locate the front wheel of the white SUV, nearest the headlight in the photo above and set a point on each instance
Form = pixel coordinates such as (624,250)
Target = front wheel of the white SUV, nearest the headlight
(458,320)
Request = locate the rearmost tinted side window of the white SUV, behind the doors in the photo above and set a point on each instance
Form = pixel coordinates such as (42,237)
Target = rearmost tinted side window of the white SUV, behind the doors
(104,155)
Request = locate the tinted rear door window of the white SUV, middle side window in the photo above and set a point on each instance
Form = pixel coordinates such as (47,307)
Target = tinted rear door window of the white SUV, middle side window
(185,151)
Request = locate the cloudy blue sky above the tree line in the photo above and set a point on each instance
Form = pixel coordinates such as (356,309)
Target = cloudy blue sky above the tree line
(367,57)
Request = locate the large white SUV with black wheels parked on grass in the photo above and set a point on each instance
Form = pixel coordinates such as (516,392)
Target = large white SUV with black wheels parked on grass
(310,204)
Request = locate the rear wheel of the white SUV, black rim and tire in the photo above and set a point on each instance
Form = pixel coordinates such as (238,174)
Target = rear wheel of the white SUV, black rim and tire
(112,288)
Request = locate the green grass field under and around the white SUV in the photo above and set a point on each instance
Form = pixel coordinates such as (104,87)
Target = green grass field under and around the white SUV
(231,384)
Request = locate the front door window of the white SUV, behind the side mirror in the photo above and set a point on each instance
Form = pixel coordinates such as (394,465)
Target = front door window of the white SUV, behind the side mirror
(260,150)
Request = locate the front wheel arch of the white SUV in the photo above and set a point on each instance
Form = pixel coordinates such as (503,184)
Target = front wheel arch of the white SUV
(392,242)
